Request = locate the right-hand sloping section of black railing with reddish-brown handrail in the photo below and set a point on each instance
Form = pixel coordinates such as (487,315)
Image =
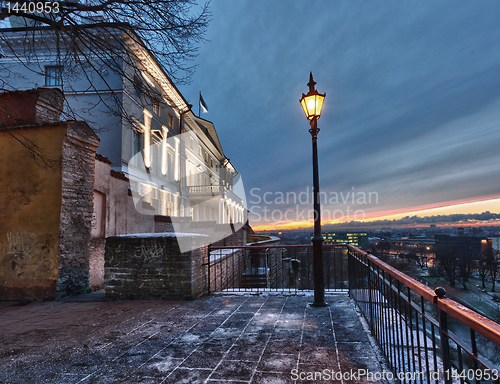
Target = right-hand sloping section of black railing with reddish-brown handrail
(425,337)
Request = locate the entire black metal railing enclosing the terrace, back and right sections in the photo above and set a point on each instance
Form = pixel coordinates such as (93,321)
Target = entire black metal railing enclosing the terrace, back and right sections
(424,337)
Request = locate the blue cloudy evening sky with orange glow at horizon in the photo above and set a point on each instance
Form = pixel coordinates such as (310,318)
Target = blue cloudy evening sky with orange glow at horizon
(411,120)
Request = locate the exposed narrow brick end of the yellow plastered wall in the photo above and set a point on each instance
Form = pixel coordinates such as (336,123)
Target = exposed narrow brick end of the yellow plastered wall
(78,163)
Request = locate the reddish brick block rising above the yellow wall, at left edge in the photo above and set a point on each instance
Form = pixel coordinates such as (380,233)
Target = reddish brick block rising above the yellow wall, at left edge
(32,107)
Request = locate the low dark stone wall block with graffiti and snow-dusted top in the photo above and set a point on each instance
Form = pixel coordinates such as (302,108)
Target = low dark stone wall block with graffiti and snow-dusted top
(151,266)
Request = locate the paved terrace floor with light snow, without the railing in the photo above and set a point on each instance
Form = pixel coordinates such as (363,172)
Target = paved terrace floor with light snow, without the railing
(218,339)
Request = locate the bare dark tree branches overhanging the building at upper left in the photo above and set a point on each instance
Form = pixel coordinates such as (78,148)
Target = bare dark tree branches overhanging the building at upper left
(93,38)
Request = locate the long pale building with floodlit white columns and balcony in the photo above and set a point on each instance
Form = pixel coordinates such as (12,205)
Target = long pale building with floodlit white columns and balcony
(173,159)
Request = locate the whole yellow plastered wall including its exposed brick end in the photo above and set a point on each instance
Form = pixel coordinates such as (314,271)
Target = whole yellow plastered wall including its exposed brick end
(47,200)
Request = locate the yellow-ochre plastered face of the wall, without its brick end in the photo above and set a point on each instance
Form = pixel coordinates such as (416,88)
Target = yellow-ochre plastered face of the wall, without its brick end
(30,197)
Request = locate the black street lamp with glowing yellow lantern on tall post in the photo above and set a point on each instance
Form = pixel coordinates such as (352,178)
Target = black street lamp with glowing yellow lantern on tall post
(312,103)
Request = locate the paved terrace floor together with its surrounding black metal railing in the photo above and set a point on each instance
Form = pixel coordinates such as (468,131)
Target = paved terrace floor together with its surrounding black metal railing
(379,324)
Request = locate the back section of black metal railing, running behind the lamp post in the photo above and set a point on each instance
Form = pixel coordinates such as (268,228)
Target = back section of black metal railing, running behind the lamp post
(273,268)
